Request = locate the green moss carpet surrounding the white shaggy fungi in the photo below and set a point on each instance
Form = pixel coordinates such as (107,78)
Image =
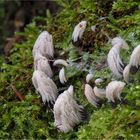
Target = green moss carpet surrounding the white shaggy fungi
(29,119)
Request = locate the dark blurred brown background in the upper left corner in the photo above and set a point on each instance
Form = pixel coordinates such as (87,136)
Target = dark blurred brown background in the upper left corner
(16,14)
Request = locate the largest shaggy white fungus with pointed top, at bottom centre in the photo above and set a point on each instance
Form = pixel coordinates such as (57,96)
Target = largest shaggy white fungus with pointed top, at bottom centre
(67,112)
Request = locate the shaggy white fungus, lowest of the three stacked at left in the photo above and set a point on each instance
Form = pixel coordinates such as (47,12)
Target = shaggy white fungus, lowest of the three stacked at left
(45,86)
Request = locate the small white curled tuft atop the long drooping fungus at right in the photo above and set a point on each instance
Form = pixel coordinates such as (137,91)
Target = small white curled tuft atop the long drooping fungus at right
(119,43)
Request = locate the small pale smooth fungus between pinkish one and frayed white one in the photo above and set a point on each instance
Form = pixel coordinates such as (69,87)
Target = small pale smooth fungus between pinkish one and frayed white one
(100,93)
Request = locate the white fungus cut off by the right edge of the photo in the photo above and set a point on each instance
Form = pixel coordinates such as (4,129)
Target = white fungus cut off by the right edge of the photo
(135,57)
